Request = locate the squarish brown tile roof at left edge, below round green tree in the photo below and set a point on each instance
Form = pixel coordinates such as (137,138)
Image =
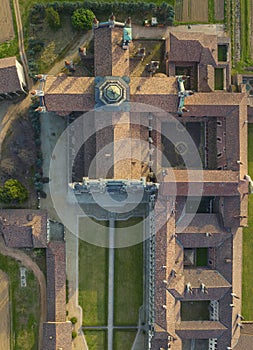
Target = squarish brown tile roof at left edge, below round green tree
(24,228)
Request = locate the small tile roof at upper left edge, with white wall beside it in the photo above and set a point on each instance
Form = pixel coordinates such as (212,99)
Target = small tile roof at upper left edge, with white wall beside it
(9,80)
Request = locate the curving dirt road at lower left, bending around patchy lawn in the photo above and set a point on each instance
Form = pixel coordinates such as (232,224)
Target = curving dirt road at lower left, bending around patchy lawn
(29,264)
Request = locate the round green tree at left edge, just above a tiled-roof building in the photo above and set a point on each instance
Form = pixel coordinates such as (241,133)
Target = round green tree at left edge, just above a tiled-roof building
(13,191)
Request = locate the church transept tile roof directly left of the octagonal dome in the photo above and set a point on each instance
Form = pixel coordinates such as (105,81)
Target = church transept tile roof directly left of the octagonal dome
(67,94)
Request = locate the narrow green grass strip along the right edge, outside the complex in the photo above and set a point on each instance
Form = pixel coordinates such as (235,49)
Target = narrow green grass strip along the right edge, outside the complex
(247,280)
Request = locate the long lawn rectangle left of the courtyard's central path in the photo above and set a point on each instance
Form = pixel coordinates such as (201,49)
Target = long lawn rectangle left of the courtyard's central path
(93,283)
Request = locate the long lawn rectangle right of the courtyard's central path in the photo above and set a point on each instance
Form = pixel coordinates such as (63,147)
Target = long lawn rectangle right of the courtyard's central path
(128,280)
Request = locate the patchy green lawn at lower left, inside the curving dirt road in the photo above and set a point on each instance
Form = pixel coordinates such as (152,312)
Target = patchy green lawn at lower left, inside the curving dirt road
(25,306)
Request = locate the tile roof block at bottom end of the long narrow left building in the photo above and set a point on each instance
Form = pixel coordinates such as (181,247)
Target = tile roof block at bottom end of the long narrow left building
(57,336)
